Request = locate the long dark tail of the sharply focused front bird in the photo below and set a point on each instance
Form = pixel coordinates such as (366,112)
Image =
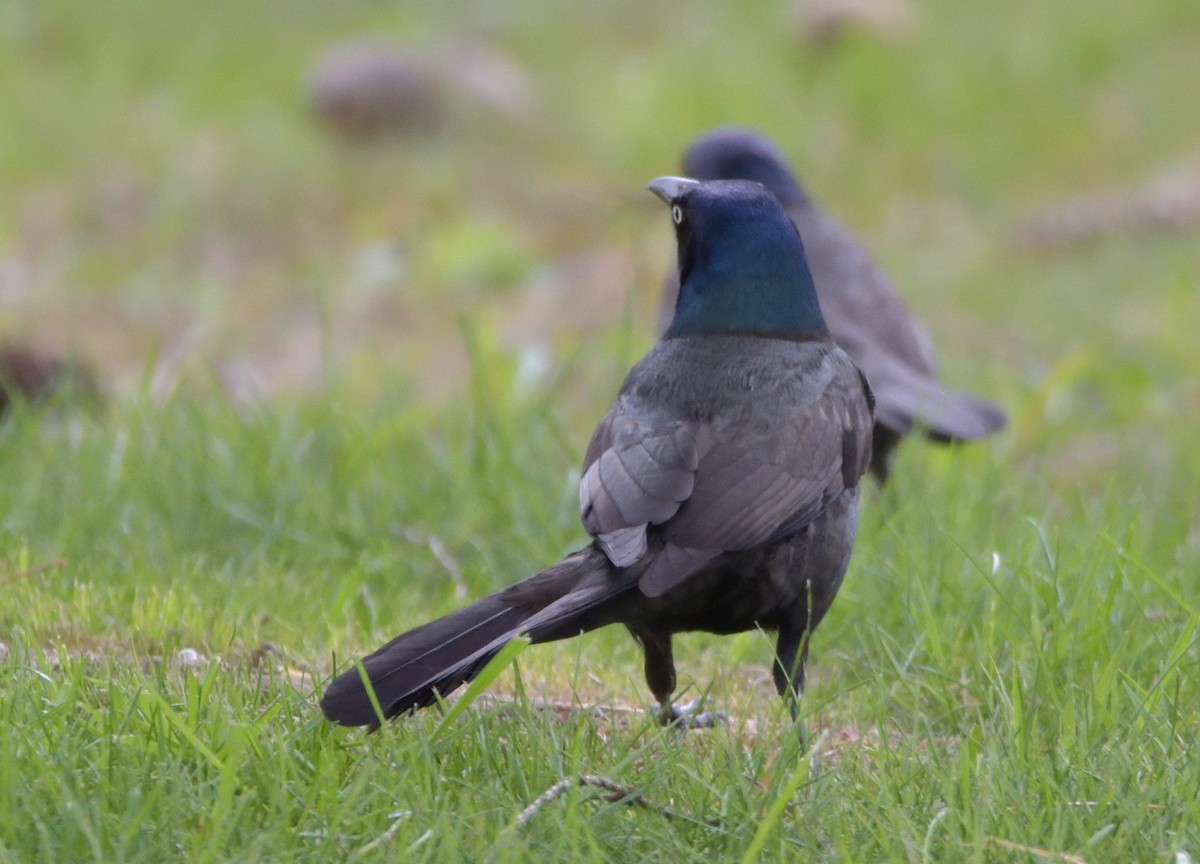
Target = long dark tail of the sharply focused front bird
(418,667)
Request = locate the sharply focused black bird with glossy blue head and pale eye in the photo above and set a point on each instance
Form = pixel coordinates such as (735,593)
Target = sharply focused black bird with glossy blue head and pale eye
(721,489)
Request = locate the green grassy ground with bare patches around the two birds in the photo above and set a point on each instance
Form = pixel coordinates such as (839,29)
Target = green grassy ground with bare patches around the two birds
(1010,671)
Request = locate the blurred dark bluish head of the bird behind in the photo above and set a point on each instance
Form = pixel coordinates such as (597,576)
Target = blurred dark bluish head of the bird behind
(740,154)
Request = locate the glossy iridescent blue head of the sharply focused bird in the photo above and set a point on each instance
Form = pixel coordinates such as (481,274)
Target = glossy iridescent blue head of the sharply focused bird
(742,266)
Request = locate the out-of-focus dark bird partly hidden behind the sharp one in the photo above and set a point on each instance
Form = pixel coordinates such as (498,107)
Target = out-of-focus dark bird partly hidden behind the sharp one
(867,317)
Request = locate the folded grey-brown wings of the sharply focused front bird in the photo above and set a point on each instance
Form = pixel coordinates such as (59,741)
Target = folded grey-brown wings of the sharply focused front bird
(712,485)
